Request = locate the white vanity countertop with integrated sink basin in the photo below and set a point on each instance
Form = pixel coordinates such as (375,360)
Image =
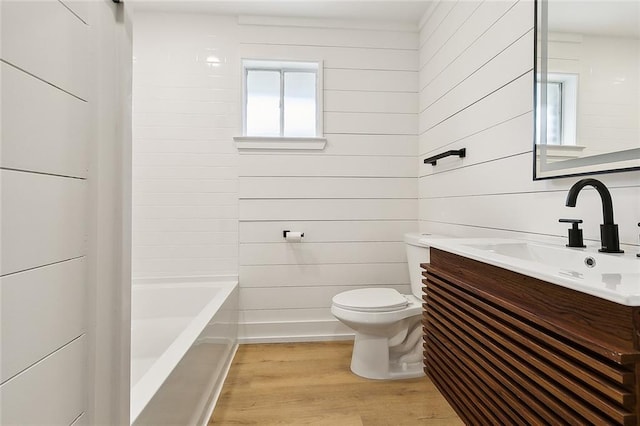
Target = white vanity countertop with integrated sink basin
(615,277)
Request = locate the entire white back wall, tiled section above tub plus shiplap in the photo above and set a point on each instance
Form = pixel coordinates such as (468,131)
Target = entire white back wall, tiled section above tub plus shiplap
(201,208)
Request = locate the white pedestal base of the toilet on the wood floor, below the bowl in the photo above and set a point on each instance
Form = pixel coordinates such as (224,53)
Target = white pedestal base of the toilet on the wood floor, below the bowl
(370,359)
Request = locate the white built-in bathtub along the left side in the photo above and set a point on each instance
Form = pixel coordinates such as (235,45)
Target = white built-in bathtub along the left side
(183,337)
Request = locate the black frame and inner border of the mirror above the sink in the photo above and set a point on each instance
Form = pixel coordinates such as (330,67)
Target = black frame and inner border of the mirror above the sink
(540,46)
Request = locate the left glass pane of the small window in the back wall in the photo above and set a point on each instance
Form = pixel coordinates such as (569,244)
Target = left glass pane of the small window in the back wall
(263,103)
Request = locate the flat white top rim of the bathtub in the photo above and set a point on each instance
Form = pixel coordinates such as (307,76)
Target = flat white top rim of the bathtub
(147,386)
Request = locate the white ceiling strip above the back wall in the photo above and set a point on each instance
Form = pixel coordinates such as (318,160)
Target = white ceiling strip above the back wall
(370,10)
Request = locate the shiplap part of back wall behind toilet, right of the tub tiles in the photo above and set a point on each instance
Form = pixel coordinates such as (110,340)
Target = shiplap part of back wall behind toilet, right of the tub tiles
(353,200)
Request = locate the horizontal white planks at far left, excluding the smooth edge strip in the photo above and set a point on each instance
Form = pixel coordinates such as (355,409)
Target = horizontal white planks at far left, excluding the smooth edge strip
(43,176)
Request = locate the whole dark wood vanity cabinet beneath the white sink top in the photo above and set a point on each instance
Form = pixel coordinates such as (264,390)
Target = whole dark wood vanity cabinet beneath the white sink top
(507,349)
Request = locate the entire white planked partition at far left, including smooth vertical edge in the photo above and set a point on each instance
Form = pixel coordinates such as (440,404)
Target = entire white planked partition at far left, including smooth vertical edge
(65,87)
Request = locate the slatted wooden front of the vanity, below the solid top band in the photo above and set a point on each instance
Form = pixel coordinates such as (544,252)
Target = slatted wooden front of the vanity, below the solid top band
(497,364)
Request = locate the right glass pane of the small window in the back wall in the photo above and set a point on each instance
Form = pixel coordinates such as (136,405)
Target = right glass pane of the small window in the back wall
(299,104)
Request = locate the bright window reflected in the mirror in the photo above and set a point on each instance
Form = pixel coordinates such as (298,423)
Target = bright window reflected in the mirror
(560,107)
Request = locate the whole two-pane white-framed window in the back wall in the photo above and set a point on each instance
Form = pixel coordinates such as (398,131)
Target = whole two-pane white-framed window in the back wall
(281,99)
